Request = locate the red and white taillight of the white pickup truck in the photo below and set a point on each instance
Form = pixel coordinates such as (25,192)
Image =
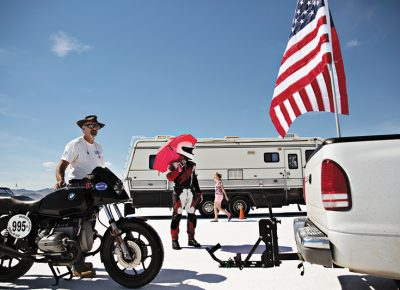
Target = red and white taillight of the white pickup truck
(334,187)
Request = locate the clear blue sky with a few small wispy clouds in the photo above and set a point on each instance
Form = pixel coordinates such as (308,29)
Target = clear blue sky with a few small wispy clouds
(169,67)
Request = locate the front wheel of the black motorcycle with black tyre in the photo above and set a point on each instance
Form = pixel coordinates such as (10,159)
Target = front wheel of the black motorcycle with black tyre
(145,248)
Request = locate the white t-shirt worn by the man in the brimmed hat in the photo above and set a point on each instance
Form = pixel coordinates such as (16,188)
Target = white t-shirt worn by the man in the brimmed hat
(83,157)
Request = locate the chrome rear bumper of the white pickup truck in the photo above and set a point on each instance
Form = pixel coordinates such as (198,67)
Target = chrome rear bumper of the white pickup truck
(312,245)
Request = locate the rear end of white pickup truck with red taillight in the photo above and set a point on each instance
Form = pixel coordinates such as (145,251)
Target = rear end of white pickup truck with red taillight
(352,193)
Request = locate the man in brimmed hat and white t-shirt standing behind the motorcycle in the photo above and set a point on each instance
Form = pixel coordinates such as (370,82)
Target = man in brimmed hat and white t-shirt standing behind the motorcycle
(83,155)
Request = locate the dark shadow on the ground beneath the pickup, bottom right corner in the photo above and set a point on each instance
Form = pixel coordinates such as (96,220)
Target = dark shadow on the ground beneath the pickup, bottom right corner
(367,282)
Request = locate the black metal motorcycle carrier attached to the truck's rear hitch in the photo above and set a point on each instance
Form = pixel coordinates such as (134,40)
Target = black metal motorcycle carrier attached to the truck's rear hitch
(271,257)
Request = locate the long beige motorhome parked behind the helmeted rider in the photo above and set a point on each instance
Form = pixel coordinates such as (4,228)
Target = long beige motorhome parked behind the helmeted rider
(256,172)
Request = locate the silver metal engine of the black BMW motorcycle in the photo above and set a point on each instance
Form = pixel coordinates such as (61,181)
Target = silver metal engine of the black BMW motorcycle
(77,230)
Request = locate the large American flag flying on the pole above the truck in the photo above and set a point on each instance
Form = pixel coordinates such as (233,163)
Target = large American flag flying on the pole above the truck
(304,83)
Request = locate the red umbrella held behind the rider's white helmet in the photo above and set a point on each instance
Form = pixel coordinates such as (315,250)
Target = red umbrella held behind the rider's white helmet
(167,153)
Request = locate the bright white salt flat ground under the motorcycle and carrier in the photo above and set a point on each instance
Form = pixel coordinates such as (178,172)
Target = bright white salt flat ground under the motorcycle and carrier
(194,269)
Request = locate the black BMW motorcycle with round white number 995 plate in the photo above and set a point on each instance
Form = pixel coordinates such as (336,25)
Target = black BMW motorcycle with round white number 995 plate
(59,230)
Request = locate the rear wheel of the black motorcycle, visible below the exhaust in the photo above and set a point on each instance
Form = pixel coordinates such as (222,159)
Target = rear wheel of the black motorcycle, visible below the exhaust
(13,268)
